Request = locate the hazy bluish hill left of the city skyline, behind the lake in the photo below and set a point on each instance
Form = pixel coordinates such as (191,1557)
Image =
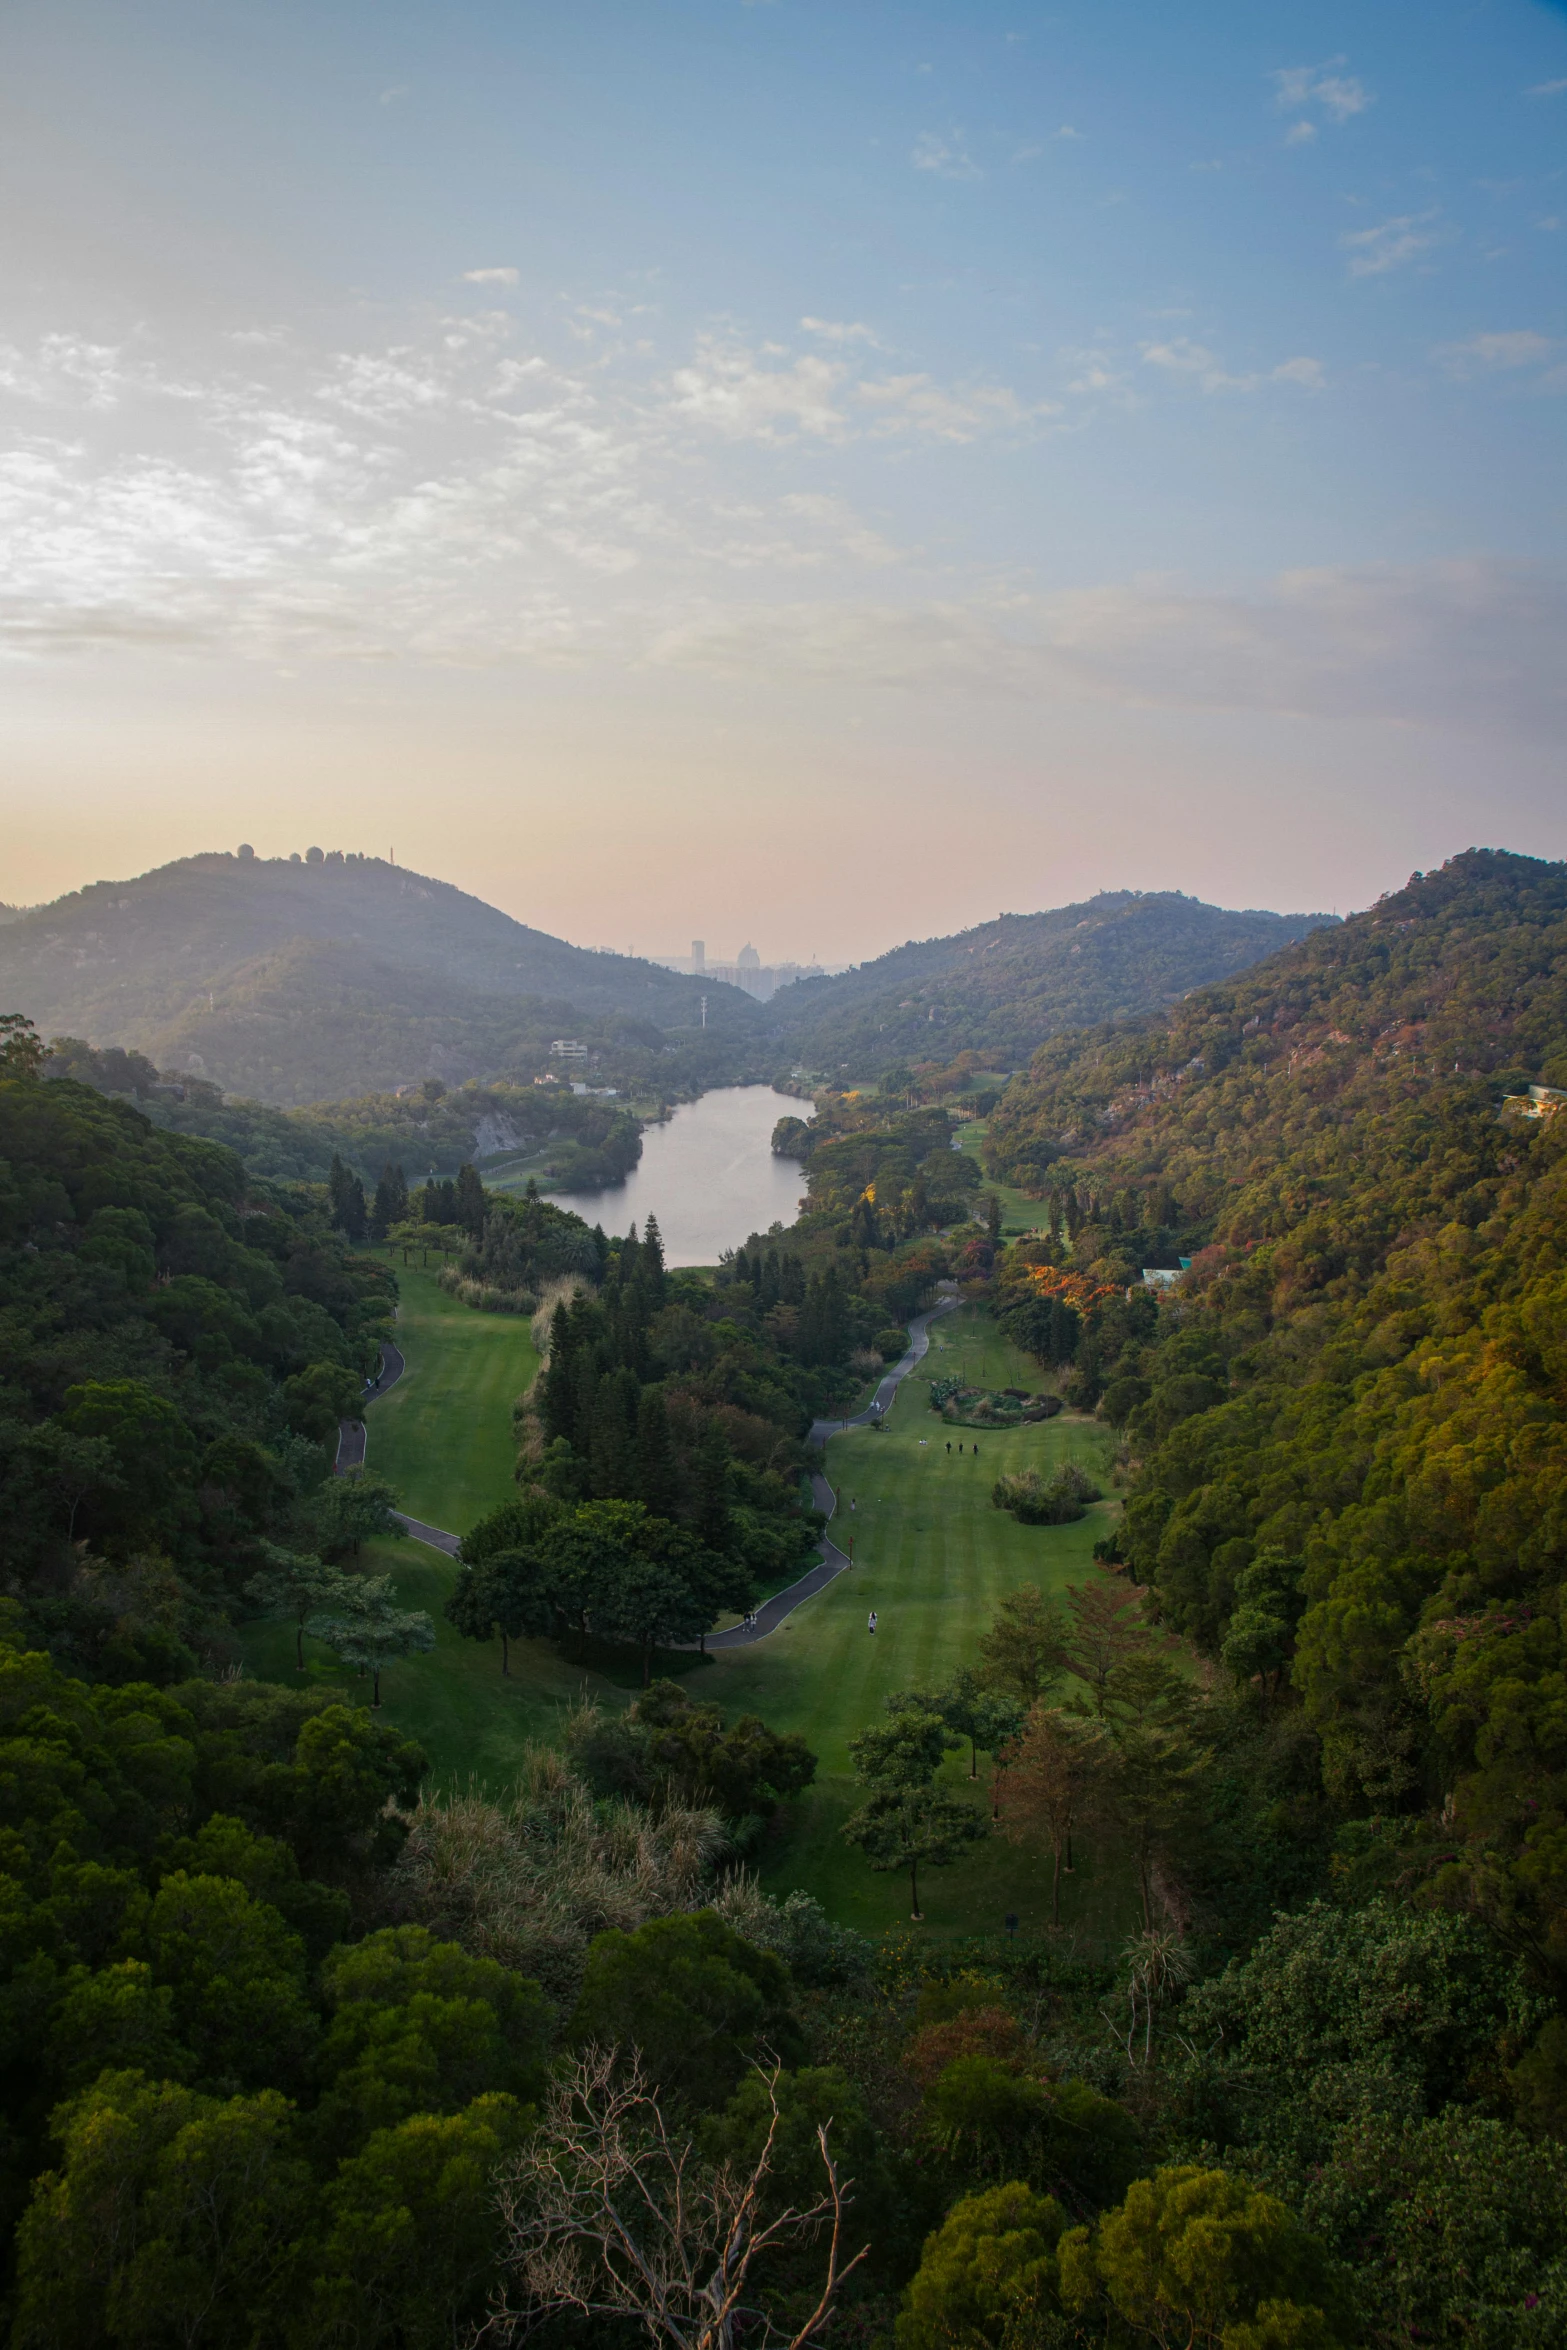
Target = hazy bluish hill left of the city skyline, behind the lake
(321,981)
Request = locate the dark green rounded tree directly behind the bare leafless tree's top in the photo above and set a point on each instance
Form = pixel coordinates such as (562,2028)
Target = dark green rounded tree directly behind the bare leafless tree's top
(692,1996)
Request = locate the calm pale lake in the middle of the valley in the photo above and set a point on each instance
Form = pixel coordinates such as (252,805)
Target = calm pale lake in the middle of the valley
(708,1176)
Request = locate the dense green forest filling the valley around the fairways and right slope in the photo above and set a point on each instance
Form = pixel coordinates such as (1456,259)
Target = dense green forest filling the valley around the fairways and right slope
(302,2050)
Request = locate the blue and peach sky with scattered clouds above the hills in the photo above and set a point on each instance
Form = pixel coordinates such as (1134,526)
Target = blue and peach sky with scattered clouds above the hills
(814,471)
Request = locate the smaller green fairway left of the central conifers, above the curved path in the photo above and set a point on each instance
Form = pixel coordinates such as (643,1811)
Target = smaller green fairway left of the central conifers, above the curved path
(443,1437)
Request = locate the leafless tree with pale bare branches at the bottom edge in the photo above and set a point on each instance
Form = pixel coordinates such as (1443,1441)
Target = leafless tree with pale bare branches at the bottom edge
(614,2215)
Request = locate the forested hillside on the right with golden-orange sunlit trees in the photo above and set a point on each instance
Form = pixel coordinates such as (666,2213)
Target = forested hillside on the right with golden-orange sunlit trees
(1347,1423)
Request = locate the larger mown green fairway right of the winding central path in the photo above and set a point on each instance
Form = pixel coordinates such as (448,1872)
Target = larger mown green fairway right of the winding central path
(932,1559)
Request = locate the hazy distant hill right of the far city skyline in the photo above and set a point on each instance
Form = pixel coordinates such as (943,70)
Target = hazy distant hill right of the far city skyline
(1011,983)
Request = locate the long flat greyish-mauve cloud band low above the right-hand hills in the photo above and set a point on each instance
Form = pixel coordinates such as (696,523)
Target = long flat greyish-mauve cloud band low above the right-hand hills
(1444,645)
